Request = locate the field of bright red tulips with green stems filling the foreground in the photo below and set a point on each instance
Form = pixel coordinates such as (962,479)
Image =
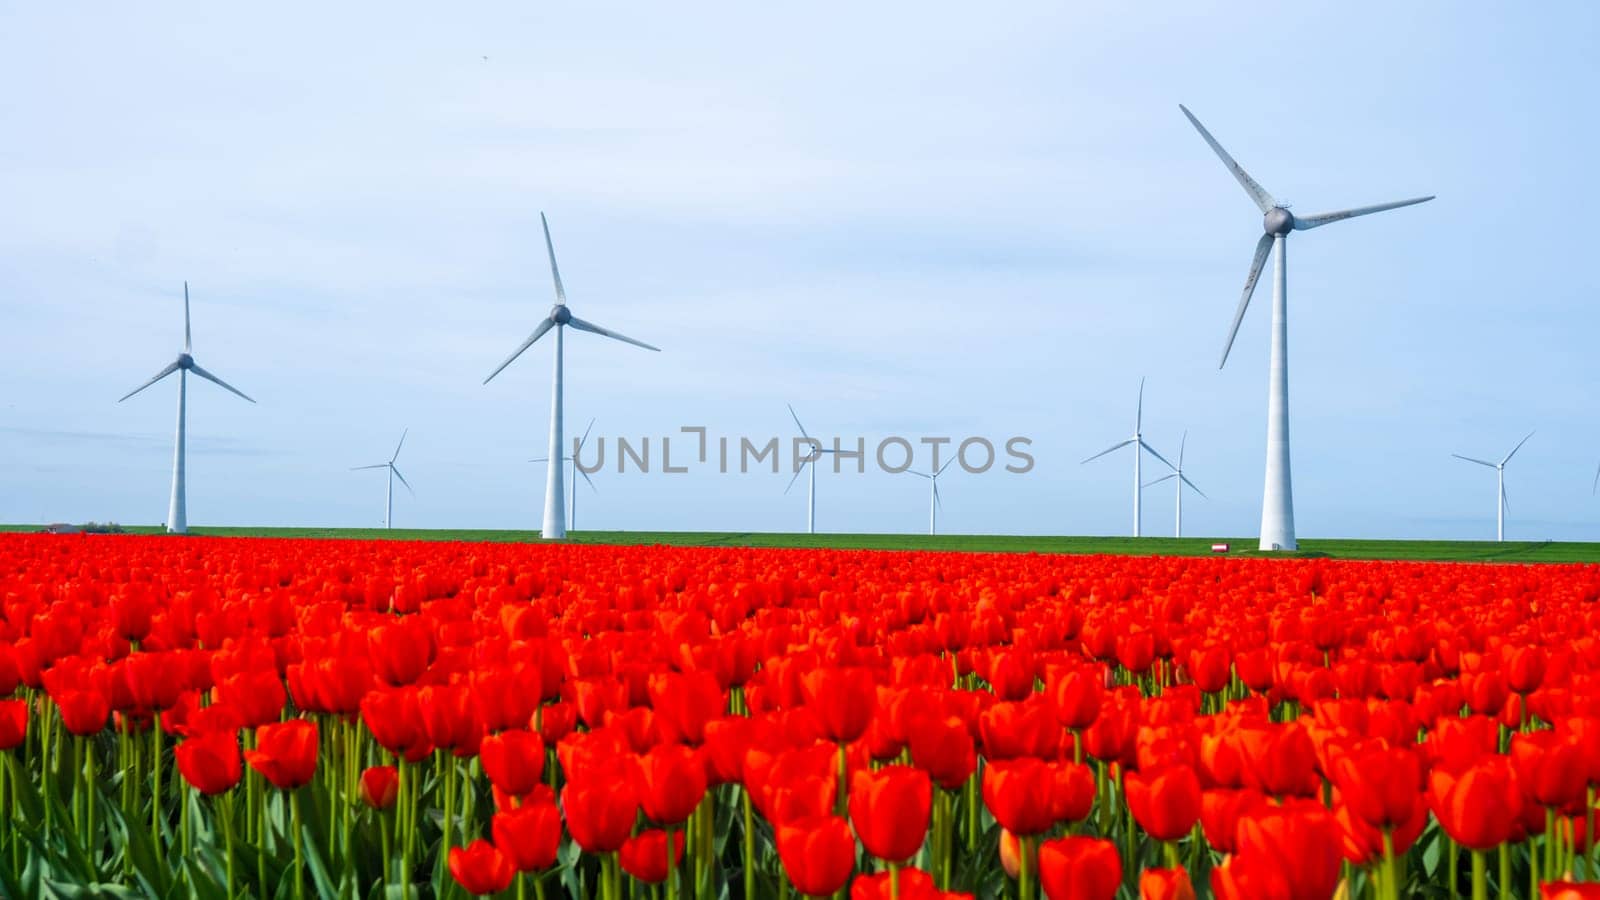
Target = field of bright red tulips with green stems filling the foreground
(425,720)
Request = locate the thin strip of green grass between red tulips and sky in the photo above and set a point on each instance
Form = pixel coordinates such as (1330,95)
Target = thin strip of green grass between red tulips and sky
(1466,552)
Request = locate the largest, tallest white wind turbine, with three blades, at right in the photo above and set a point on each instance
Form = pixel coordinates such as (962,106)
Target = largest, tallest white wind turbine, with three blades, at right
(1278,504)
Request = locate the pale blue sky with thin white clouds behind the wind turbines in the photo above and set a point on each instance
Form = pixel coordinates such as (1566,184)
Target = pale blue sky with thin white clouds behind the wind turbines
(903,219)
